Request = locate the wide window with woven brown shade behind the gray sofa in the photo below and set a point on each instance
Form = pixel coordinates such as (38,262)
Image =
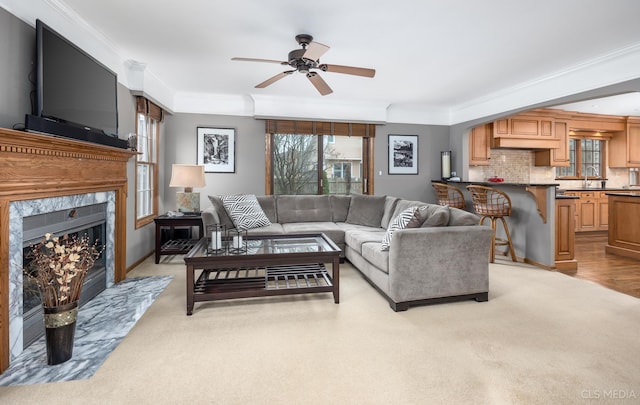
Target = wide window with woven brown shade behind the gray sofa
(305,157)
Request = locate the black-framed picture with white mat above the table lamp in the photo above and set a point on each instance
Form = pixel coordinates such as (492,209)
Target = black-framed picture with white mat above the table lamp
(217,149)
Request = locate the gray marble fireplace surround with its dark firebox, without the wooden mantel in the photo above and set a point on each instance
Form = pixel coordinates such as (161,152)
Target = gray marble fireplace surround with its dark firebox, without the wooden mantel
(28,221)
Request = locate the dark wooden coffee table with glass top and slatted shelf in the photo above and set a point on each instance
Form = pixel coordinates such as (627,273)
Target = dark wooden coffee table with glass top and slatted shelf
(272,265)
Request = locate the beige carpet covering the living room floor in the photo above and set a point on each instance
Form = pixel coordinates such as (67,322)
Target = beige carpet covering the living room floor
(542,338)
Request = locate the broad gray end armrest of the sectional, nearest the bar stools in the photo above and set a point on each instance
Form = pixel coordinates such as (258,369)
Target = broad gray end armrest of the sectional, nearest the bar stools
(439,262)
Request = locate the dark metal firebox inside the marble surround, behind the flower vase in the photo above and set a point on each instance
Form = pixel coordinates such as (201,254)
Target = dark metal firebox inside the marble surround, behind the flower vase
(88,221)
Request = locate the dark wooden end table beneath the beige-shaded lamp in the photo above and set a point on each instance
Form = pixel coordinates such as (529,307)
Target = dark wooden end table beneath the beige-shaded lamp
(176,246)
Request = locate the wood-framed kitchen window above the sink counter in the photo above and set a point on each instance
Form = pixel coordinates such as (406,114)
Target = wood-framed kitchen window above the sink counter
(586,158)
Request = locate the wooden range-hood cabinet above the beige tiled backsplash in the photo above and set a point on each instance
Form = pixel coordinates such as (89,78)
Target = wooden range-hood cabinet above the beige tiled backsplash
(525,131)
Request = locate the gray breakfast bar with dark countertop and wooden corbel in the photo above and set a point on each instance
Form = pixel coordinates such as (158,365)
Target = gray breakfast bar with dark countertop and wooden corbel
(532,220)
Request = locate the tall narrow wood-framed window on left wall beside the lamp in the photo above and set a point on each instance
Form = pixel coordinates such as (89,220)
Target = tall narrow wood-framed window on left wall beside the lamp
(148,117)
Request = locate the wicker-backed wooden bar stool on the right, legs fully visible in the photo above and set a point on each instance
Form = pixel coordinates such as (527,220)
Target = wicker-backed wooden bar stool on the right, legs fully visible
(493,204)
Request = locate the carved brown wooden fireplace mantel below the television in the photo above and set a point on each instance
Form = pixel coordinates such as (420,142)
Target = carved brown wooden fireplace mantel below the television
(34,166)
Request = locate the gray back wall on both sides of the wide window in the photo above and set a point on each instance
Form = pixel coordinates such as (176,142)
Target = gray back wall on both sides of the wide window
(180,146)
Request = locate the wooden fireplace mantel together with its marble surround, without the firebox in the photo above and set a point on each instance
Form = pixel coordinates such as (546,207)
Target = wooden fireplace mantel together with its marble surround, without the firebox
(43,174)
